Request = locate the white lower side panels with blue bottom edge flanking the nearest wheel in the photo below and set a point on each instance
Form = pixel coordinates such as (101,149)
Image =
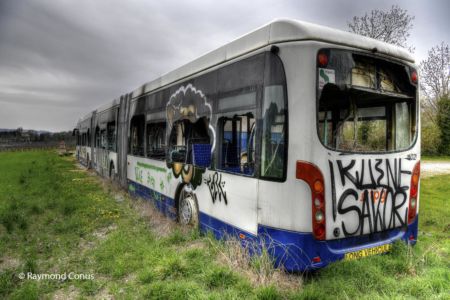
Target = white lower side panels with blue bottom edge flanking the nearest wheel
(224,200)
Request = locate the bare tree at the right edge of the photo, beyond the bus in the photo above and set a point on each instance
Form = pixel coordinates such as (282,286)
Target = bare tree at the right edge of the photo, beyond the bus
(435,77)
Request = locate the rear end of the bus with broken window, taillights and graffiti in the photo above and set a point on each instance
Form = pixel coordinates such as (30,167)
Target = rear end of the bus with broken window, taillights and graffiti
(362,166)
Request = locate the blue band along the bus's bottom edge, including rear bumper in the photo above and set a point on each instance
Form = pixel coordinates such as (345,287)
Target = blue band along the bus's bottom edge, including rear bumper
(292,250)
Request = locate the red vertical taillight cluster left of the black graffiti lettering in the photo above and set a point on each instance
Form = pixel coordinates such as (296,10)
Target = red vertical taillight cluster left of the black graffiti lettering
(313,177)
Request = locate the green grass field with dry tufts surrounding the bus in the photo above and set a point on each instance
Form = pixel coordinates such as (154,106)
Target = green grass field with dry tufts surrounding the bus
(57,218)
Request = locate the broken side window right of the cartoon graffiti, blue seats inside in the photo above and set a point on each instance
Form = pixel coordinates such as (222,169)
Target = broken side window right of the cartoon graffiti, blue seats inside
(237,144)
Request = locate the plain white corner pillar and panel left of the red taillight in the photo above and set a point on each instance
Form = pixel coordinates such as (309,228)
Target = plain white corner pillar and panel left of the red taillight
(287,205)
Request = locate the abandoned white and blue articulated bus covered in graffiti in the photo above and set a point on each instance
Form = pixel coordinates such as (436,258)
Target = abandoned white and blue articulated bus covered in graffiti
(297,136)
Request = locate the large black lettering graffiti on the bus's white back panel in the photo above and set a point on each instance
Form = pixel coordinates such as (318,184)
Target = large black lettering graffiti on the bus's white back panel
(370,192)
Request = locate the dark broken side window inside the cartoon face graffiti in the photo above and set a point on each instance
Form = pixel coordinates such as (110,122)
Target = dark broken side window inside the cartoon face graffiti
(184,135)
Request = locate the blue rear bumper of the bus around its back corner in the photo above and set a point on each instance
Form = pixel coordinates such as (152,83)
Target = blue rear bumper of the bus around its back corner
(298,251)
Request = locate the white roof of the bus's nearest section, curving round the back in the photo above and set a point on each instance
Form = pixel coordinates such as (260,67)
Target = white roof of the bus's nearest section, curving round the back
(277,31)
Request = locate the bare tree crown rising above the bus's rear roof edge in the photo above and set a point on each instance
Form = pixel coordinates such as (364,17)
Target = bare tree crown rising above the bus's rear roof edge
(391,26)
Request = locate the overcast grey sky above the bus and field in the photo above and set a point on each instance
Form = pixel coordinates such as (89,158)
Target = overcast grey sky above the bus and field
(61,59)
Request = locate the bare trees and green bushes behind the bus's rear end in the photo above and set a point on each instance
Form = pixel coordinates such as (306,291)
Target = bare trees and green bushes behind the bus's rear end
(394,26)
